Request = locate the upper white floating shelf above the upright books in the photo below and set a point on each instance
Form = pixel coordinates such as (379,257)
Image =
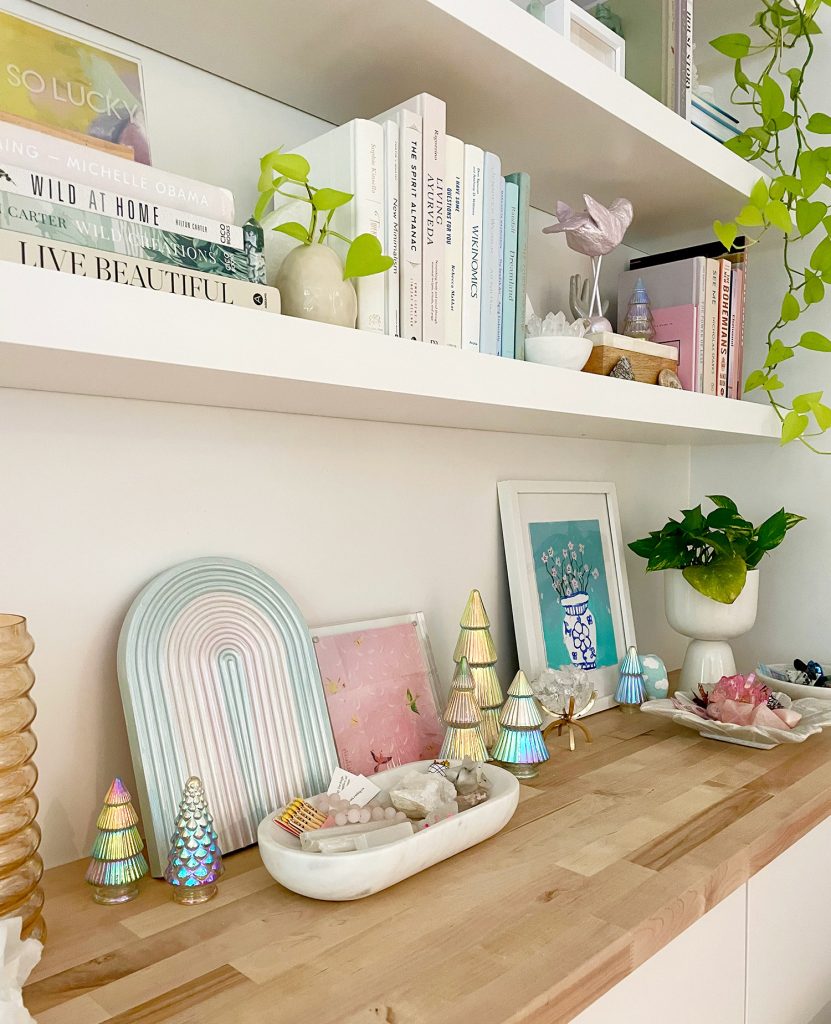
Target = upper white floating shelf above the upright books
(512,86)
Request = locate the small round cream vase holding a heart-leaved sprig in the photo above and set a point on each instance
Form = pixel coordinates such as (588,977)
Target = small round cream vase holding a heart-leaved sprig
(312,286)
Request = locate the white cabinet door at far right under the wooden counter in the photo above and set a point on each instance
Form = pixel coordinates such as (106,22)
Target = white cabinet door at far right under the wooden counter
(790,934)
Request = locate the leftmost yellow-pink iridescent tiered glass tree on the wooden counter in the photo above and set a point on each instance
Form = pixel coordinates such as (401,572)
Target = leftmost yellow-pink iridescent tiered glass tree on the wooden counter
(117,860)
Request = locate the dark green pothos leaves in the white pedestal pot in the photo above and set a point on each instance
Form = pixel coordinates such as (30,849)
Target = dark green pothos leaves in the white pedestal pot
(715,551)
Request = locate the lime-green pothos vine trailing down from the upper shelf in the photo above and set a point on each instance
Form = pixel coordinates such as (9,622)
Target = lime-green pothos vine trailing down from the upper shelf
(789,141)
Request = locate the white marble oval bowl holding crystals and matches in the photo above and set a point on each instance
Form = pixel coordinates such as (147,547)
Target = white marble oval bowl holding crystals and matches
(363,873)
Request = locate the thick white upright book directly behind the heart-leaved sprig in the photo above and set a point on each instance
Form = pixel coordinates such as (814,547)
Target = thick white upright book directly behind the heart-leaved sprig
(352,159)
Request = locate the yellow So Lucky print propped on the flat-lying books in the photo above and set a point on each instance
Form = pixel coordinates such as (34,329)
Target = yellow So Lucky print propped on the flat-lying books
(57,80)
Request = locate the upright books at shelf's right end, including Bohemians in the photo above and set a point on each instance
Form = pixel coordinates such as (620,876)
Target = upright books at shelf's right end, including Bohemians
(698,301)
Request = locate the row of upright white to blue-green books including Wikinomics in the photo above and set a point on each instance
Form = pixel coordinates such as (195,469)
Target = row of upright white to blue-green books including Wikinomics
(456,227)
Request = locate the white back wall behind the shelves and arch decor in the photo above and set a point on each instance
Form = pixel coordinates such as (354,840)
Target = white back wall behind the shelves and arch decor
(356,520)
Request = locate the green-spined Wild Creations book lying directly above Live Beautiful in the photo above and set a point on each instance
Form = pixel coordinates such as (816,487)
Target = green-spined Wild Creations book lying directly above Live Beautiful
(66,224)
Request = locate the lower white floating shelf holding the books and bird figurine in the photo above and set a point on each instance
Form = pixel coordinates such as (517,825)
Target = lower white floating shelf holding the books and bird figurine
(66,334)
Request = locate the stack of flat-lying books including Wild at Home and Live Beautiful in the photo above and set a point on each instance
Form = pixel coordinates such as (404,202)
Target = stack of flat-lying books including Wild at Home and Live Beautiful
(77,207)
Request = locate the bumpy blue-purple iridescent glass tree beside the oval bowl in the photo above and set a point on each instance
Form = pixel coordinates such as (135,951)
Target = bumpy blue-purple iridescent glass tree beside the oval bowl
(195,863)
